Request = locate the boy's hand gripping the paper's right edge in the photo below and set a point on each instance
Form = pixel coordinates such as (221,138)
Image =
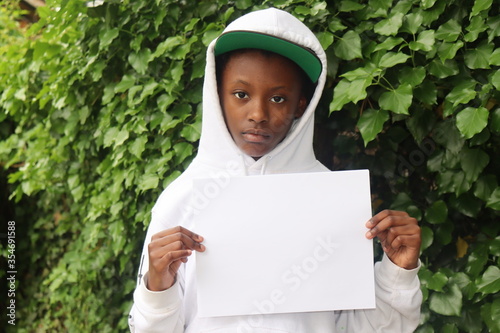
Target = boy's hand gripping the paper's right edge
(399,235)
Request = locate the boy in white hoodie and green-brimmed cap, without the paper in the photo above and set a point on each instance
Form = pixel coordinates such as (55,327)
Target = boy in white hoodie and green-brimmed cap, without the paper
(258,117)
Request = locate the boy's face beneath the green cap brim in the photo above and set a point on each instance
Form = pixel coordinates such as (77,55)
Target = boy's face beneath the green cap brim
(261,95)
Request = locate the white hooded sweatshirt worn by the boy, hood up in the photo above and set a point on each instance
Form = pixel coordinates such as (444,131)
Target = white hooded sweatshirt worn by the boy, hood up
(398,296)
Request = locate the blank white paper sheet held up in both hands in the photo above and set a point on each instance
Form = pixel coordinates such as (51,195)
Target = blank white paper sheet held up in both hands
(284,243)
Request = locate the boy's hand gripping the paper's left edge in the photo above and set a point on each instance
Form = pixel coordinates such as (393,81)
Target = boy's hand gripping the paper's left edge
(167,251)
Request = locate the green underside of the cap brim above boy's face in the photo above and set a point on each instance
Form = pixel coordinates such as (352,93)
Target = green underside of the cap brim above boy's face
(236,40)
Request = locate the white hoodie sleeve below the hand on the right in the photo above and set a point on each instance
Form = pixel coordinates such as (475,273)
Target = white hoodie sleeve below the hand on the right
(398,301)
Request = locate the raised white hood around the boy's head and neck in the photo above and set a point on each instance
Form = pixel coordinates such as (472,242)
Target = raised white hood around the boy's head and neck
(295,153)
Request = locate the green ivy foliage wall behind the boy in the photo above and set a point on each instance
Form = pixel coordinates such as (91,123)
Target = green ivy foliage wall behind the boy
(100,110)
